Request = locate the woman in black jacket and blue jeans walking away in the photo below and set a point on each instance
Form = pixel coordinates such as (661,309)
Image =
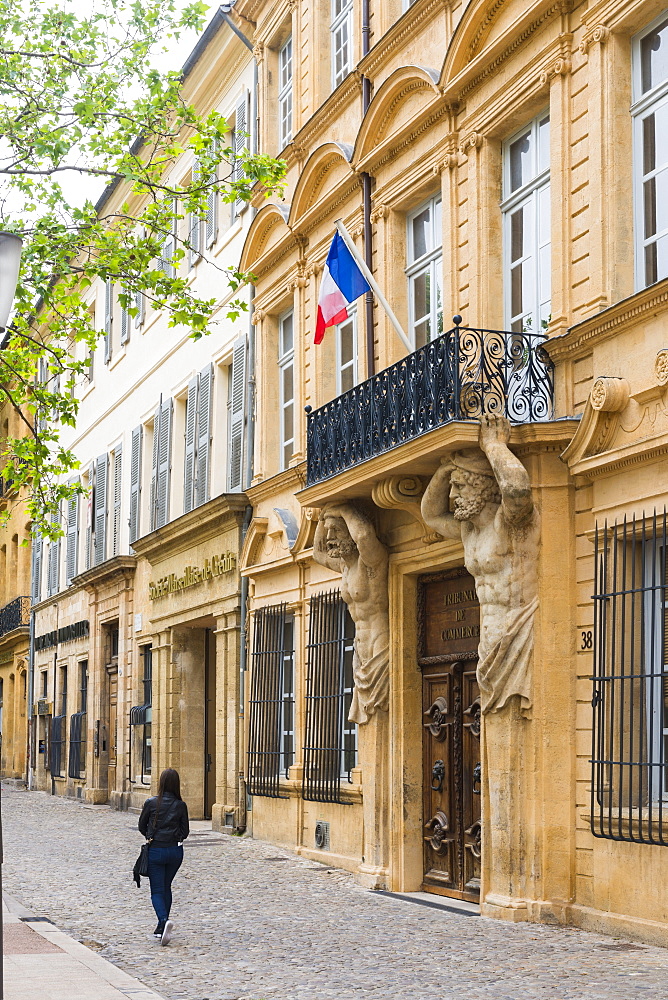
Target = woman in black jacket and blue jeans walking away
(164,823)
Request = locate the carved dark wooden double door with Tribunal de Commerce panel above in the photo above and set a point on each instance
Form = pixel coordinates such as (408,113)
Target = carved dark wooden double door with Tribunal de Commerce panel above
(449,617)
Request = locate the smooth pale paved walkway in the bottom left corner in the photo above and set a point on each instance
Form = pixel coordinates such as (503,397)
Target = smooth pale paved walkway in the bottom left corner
(42,963)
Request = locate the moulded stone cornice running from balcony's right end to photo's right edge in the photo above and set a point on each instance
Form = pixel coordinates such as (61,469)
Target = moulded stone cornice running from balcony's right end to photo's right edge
(580,339)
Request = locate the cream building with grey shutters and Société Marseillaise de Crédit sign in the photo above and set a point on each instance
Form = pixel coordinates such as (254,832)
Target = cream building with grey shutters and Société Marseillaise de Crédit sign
(138,607)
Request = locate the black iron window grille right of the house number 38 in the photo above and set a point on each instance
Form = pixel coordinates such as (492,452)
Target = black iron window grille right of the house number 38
(629,789)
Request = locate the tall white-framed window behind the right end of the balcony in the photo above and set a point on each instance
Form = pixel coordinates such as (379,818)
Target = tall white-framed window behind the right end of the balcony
(526,228)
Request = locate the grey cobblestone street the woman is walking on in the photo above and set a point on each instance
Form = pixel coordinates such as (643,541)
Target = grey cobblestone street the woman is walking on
(254,922)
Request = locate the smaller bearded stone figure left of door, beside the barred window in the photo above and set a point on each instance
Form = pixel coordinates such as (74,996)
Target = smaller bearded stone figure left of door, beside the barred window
(346,542)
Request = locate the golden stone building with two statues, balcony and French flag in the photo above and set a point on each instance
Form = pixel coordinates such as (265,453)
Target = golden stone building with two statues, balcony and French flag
(499,163)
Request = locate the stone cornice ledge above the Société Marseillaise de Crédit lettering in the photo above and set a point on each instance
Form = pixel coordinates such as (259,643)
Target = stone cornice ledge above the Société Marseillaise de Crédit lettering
(200,525)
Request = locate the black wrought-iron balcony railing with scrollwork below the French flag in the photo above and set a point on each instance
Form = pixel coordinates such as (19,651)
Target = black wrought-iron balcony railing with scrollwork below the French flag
(459,376)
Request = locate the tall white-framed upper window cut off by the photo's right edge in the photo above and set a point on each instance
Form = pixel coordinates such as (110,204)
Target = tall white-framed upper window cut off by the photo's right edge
(650,154)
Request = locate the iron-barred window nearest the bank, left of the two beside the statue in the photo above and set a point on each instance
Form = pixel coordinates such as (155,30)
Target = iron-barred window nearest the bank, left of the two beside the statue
(271,736)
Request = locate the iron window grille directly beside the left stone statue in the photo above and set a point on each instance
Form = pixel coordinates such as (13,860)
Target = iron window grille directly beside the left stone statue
(330,752)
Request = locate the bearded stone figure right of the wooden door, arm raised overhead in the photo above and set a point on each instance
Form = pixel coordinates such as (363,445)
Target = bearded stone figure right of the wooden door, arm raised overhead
(493,514)
